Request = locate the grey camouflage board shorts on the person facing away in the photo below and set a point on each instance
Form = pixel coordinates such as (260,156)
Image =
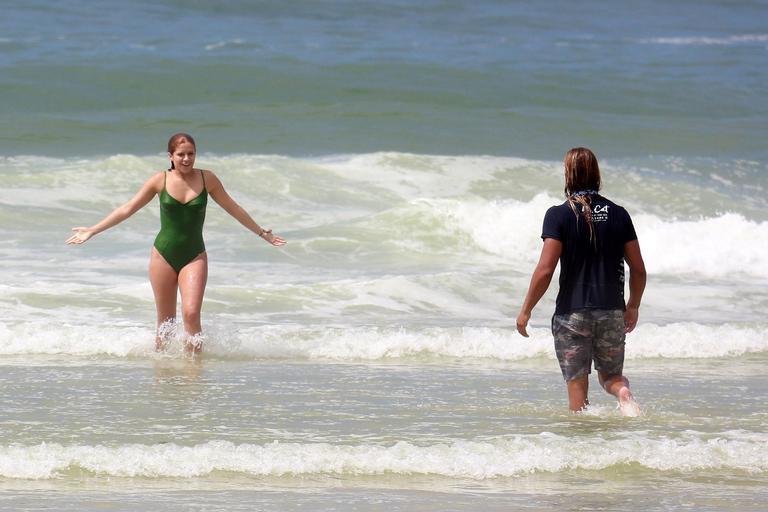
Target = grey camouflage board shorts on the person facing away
(586,335)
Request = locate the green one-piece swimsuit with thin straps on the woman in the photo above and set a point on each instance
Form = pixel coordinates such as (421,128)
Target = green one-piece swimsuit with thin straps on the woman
(180,239)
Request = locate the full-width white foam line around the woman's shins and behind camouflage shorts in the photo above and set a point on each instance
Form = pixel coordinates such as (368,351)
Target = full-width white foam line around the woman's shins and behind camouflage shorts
(674,341)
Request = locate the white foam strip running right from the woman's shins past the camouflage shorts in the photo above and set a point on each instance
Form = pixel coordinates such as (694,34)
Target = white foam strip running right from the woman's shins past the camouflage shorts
(683,340)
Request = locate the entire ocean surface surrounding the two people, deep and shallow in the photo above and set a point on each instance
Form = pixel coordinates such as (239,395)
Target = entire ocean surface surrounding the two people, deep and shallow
(407,151)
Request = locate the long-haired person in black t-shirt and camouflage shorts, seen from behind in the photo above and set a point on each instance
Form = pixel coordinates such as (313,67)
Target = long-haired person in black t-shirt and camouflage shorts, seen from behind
(591,237)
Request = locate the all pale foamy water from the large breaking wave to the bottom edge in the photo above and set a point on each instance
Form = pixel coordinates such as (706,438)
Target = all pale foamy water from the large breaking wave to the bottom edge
(372,361)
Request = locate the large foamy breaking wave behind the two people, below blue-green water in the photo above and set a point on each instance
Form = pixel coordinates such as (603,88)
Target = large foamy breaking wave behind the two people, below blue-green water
(488,209)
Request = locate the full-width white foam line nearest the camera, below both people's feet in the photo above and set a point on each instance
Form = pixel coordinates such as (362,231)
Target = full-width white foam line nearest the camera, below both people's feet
(508,457)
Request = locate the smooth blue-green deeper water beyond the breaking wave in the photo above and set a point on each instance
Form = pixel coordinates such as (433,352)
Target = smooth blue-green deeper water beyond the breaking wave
(314,78)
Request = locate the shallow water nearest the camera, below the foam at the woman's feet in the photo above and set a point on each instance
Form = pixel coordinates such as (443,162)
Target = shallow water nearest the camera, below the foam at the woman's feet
(359,435)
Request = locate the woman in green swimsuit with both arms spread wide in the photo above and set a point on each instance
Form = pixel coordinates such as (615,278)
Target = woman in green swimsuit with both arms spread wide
(179,260)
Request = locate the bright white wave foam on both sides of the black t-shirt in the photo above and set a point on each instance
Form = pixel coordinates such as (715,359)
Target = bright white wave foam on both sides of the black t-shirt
(722,246)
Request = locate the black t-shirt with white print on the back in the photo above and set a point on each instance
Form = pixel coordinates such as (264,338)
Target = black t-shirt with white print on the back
(591,271)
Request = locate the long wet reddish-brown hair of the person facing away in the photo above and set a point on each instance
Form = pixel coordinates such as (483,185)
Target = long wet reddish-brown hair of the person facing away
(582,183)
